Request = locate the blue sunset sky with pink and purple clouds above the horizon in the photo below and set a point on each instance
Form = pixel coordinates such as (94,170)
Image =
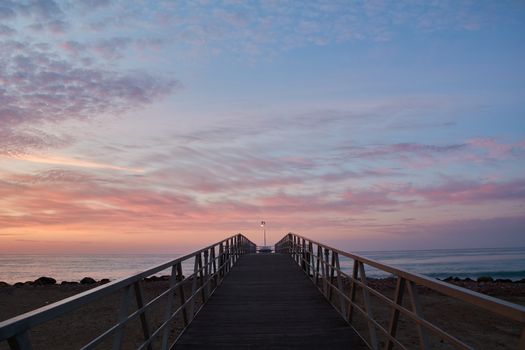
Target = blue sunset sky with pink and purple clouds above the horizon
(162,126)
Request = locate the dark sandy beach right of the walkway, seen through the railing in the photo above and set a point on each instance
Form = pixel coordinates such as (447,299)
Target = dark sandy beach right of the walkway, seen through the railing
(476,327)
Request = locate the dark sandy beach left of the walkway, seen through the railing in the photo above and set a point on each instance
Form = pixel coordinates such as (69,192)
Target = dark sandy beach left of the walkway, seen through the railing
(78,328)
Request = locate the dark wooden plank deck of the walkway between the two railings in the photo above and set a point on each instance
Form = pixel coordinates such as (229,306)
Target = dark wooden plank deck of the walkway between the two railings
(268,302)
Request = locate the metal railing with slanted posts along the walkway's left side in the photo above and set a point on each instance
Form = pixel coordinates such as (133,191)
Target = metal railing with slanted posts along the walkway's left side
(211,265)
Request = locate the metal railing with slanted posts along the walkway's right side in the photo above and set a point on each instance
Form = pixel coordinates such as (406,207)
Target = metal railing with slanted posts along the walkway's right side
(322,264)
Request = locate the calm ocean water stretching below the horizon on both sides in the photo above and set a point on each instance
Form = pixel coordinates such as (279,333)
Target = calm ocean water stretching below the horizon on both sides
(495,262)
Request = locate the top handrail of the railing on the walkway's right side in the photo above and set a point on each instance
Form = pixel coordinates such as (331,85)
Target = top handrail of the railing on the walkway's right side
(499,306)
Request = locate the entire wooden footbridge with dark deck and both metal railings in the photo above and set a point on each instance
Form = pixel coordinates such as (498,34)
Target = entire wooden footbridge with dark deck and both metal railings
(298,297)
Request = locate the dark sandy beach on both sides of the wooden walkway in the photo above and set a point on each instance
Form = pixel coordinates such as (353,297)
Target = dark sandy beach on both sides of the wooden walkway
(477,327)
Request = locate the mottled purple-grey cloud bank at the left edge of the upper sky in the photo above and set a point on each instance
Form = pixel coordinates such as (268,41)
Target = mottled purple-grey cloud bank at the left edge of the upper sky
(40,87)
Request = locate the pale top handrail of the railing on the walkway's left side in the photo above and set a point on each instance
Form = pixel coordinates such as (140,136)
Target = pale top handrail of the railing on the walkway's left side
(12,327)
